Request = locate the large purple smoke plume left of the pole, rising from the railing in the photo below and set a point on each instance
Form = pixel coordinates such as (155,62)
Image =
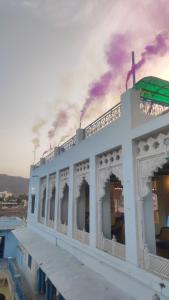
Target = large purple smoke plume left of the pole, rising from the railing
(116,57)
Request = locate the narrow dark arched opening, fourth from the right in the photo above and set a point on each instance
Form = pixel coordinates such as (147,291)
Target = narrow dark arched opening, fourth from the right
(64,205)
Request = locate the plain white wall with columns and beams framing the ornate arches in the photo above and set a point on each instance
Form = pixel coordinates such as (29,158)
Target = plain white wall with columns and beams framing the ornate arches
(131,126)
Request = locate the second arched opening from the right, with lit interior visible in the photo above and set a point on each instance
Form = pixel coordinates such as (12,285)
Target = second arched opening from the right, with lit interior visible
(113,210)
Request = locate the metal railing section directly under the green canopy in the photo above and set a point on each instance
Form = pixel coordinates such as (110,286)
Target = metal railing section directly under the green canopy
(152,109)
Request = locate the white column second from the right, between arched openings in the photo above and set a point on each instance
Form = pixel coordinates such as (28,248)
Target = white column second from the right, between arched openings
(92,203)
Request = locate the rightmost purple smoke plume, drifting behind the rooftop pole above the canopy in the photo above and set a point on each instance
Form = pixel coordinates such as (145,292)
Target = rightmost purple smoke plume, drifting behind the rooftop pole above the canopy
(159,47)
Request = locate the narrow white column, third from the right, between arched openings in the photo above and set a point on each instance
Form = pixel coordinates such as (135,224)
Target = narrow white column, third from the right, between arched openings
(70,201)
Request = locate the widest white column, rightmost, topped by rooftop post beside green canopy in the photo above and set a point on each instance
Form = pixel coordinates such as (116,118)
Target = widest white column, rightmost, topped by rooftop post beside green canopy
(130,113)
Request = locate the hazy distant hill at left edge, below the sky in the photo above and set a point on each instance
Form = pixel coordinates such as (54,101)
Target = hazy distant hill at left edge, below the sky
(14,184)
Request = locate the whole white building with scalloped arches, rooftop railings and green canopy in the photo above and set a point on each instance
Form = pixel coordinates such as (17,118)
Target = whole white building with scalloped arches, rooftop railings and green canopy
(97,203)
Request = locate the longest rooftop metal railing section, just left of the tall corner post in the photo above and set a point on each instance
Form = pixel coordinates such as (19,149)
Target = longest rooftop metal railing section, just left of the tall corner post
(111,115)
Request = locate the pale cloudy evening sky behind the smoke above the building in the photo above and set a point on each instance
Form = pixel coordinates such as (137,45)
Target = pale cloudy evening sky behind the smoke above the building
(51,53)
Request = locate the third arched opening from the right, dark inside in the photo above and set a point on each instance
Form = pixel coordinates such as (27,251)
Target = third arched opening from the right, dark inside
(83,207)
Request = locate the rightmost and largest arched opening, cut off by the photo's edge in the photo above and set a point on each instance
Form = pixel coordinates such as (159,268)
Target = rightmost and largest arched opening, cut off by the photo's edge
(156,213)
